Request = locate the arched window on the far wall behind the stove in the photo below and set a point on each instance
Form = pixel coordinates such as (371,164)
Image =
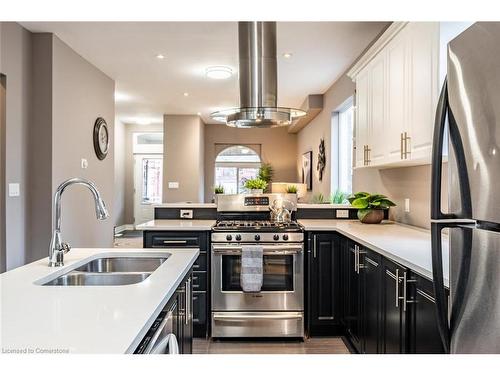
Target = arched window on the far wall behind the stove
(233,166)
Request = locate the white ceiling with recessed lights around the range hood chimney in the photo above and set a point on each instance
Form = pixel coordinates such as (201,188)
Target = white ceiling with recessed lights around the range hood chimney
(149,87)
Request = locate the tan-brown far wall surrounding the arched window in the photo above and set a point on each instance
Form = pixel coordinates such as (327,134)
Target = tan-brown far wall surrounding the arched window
(278,147)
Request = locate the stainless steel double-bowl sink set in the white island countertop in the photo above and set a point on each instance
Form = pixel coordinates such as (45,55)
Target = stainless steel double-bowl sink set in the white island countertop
(119,270)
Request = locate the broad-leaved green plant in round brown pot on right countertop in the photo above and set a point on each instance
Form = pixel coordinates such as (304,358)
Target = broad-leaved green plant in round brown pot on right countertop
(370,206)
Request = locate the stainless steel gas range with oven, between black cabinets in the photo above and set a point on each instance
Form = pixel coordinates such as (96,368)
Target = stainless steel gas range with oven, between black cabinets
(278,309)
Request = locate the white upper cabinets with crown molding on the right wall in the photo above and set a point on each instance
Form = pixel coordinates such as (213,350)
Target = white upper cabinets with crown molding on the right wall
(397,86)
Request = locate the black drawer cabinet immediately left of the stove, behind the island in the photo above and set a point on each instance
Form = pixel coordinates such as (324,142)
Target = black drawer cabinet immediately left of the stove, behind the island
(201,279)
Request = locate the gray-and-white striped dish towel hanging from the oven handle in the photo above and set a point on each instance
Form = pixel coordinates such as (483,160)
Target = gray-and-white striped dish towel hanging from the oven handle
(251,274)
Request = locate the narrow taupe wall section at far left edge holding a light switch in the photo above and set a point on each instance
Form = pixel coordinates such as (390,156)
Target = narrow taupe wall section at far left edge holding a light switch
(16,65)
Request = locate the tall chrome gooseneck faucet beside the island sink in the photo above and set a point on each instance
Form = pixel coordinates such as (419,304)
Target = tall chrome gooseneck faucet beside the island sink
(57,248)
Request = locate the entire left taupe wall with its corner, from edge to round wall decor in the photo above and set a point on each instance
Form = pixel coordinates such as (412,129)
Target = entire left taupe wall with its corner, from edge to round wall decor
(53,97)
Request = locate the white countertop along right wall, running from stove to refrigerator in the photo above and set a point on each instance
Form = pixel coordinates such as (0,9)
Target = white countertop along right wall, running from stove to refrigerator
(409,246)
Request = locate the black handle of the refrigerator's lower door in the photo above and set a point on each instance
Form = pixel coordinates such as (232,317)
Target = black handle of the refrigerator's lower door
(438,283)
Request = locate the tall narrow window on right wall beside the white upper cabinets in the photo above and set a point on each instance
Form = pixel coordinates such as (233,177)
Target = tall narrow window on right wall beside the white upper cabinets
(342,147)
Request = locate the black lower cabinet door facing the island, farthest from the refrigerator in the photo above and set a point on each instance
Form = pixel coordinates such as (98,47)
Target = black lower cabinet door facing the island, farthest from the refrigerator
(352,312)
